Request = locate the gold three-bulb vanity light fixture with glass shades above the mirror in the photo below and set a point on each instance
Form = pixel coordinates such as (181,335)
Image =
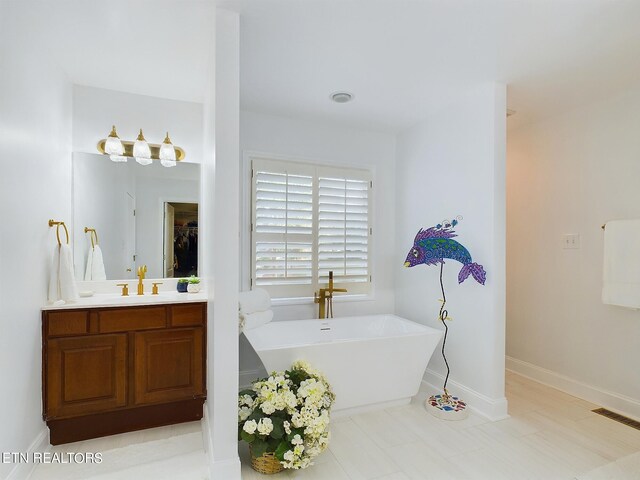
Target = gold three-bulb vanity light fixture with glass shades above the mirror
(144,153)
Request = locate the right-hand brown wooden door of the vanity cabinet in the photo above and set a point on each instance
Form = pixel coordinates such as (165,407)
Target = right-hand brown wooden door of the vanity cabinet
(168,365)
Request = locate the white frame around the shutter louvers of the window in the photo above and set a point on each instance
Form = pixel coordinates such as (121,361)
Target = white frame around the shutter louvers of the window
(298,292)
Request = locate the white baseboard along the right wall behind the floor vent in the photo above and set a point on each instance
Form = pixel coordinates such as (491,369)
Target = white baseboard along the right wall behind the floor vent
(627,406)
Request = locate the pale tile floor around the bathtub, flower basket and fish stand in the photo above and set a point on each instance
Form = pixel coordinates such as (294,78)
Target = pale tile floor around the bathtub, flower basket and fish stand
(550,435)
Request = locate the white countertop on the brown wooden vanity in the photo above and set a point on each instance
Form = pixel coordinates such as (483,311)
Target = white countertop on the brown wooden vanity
(102,300)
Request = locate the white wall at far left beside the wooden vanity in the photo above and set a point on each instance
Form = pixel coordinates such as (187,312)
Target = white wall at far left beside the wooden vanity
(35,185)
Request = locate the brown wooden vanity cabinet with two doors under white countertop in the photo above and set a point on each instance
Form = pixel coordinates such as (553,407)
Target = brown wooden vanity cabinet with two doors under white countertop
(119,369)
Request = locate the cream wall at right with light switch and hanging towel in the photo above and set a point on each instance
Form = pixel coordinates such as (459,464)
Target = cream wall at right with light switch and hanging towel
(570,174)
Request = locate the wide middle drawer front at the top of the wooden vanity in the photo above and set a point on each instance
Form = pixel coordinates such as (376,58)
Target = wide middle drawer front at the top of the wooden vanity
(127,319)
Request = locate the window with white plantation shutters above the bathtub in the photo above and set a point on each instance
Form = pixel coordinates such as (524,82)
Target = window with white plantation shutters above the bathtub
(309,220)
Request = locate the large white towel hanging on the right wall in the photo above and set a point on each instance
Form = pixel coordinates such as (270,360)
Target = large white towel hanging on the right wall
(621,273)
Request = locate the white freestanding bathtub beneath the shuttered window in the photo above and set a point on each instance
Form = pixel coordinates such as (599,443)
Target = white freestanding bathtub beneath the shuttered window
(371,361)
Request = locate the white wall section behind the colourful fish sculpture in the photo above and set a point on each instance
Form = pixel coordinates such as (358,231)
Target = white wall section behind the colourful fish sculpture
(452,164)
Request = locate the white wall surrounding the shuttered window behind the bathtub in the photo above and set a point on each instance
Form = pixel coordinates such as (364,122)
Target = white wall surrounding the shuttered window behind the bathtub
(330,144)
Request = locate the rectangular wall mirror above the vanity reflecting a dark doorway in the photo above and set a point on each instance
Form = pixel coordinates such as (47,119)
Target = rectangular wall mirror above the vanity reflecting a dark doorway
(135,215)
